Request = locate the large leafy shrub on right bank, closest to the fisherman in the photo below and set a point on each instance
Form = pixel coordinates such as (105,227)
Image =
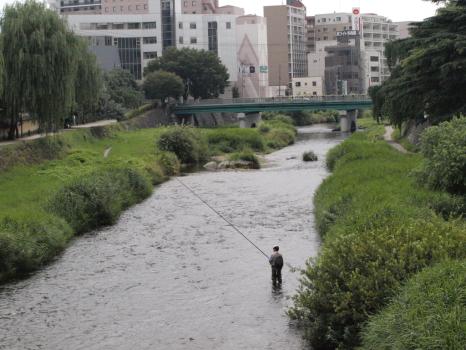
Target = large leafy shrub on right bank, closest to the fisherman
(357,273)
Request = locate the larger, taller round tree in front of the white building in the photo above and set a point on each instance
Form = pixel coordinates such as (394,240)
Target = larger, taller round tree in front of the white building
(204,75)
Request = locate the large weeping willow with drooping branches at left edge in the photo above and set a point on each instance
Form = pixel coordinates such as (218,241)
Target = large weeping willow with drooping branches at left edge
(39,57)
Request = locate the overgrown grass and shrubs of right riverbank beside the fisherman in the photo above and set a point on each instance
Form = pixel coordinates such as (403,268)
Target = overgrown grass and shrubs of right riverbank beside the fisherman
(380,228)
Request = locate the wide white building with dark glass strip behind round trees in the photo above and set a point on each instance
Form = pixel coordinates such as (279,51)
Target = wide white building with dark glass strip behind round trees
(122,38)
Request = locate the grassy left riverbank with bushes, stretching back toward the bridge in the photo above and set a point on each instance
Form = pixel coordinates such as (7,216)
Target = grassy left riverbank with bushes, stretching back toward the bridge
(55,188)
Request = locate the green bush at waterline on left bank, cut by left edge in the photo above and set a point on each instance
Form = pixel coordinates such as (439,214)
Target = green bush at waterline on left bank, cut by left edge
(29,242)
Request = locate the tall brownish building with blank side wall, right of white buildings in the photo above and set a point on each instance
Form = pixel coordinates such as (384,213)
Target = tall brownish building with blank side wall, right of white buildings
(286,40)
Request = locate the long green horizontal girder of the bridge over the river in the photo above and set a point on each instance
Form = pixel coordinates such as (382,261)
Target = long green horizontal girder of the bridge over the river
(346,103)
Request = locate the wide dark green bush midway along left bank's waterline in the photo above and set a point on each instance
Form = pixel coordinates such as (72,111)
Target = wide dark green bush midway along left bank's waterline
(98,198)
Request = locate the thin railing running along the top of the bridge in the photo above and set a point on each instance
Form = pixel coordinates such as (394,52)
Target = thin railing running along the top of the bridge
(279,100)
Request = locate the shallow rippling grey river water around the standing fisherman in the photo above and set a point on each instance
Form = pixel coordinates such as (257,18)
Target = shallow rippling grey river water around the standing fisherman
(172,275)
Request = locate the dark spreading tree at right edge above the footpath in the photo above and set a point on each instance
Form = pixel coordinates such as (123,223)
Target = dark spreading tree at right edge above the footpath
(428,68)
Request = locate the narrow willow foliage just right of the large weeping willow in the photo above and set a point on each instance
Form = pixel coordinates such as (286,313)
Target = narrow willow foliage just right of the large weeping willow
(88,82)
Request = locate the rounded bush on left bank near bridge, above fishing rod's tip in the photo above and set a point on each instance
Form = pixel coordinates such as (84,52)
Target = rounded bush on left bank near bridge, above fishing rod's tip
(189,146)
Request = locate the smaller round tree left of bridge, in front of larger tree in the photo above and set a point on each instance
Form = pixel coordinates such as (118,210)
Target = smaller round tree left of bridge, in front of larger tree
(161,85)
